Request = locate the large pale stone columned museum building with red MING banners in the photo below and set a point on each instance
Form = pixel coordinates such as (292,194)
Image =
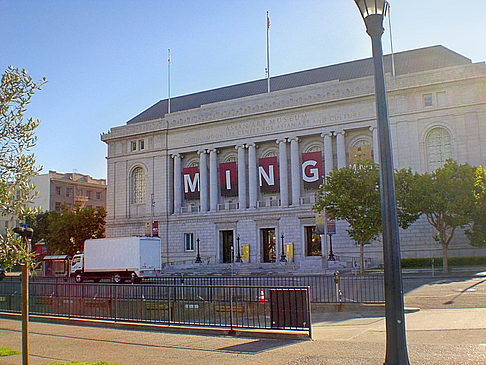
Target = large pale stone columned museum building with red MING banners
(236,169)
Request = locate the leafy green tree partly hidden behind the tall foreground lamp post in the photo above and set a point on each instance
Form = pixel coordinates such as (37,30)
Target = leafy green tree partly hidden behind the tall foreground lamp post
(352,194)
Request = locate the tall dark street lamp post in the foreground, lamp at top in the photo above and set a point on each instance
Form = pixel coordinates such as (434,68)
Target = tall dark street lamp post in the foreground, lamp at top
(373,12)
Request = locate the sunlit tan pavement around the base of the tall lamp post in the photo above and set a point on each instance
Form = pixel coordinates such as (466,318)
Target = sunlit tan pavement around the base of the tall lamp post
(449,329)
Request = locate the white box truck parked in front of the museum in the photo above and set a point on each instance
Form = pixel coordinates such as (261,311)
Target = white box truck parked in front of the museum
(121,259)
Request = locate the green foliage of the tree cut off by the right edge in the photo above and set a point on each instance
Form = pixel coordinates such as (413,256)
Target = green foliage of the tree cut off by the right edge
(477,231)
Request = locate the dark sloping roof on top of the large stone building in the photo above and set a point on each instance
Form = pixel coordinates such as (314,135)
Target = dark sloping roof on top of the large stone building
(416,60)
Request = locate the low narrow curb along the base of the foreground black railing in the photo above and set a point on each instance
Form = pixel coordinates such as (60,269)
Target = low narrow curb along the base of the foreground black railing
(202,331)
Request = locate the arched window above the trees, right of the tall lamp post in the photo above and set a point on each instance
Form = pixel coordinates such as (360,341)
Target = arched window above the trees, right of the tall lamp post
(439,148)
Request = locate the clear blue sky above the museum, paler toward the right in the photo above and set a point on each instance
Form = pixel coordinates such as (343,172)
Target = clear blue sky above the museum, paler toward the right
(106,60)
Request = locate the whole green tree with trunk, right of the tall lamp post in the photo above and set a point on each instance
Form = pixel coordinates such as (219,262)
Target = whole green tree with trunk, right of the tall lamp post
(446,198)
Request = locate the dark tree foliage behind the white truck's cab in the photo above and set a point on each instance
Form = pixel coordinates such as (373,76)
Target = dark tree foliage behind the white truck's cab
(65,232)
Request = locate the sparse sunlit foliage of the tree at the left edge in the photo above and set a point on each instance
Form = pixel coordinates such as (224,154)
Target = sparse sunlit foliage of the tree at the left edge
(17,164)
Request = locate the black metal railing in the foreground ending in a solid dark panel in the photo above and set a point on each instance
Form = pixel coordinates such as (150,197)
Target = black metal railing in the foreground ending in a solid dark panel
(230,306)
